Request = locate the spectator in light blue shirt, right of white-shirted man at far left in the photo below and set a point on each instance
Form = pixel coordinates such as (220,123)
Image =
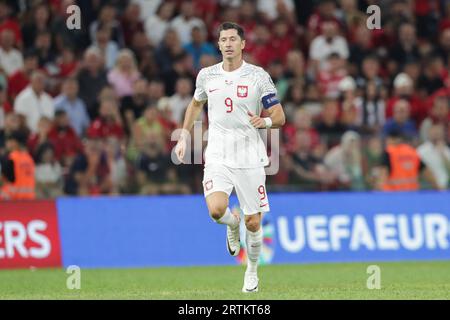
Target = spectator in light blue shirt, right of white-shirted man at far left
(73,106)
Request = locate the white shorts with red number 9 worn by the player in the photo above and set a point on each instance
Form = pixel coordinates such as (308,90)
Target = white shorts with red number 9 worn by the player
(250,185)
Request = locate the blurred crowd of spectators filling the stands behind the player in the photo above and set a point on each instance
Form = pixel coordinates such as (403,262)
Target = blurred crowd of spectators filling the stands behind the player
(98,106)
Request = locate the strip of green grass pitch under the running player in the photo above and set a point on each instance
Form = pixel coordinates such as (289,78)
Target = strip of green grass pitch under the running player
(399,280)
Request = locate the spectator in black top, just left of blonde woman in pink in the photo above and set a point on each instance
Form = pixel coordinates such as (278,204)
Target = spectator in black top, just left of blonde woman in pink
(91,80)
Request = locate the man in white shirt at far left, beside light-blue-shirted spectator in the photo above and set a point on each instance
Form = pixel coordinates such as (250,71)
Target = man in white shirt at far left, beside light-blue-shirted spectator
(33,102)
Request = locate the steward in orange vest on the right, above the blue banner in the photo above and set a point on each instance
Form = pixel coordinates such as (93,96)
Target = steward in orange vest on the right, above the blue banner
(401,166)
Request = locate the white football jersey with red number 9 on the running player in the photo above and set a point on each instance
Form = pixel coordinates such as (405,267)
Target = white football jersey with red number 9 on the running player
(232,140)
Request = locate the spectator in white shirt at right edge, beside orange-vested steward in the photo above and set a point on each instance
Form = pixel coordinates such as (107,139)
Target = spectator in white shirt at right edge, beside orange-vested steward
(436,155)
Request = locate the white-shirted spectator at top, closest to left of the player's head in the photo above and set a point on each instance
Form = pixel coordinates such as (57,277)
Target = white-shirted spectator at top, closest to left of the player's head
(185,22)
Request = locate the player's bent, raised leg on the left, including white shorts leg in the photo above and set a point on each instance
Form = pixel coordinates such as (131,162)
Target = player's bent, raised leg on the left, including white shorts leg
(217,186)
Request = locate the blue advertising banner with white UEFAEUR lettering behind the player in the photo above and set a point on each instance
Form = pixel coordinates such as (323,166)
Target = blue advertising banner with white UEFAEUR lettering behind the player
(301,228)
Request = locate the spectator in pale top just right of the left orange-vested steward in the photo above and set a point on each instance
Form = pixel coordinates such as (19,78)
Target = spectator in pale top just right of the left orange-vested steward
(49,173)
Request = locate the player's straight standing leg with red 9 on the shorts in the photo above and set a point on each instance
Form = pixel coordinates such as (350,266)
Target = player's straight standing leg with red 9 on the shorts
(251,192)
